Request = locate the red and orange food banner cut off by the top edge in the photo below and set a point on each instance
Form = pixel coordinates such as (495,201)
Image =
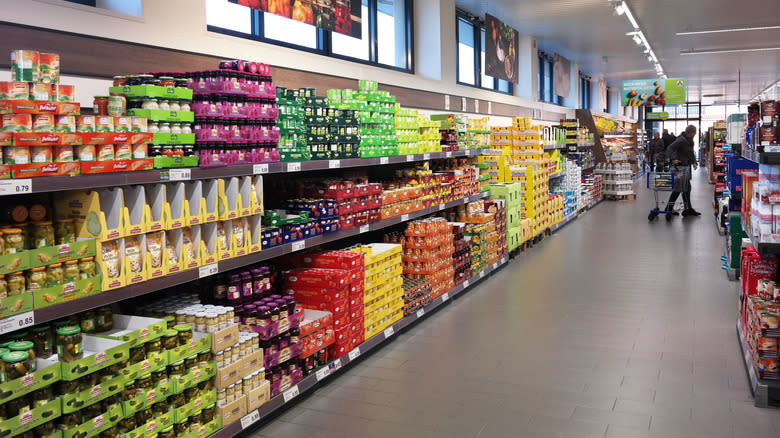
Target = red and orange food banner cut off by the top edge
(343,16)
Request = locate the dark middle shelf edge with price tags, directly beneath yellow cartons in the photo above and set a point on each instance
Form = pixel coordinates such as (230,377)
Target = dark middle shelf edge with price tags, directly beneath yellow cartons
(112,296)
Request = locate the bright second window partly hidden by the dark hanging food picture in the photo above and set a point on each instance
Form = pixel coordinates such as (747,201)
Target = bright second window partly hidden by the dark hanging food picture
(471,56)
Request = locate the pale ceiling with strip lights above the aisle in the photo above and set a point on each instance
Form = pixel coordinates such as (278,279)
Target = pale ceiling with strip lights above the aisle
(587,31)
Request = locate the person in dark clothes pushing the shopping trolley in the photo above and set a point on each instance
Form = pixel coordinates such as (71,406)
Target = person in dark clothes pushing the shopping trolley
(680,152)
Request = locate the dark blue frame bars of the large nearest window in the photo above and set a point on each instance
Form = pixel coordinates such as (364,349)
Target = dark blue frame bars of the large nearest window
(324,45)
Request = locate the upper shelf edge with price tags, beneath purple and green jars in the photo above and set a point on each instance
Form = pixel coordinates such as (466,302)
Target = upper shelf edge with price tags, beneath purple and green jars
(80,182)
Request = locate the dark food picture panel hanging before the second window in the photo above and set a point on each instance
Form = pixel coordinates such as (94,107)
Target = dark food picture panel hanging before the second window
(500,49)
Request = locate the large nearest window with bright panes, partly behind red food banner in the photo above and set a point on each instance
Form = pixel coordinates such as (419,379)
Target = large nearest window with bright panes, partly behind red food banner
(386,38)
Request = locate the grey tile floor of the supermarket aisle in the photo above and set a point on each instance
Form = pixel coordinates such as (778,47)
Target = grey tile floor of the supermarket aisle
(613,327)
